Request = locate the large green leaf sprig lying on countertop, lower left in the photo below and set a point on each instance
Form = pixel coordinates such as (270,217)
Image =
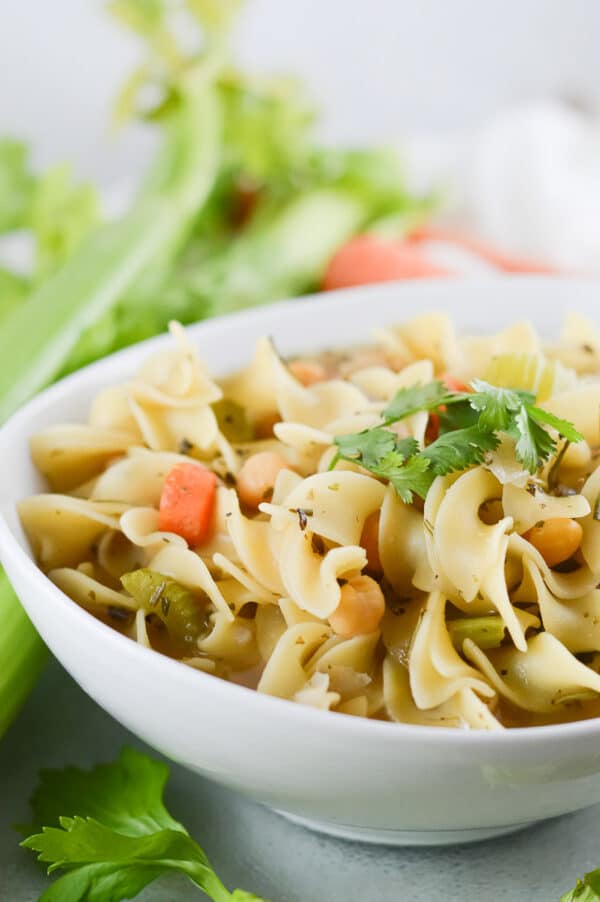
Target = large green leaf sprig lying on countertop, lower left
(109,830)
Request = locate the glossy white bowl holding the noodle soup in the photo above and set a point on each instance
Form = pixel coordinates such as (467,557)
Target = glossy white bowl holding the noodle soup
(370,780)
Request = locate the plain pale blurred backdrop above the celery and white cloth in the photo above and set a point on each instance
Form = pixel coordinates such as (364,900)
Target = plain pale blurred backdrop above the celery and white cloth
(377,68)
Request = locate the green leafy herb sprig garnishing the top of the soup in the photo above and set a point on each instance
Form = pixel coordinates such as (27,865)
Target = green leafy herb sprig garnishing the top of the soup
(470,427)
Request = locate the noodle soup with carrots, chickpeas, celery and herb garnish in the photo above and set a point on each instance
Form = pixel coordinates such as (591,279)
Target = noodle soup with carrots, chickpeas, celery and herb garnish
(408,531)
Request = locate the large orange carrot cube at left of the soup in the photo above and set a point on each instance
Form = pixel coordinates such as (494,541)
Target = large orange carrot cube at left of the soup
(187,502)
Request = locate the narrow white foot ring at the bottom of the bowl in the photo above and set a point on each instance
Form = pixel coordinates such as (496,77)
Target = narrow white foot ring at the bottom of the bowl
(391,837)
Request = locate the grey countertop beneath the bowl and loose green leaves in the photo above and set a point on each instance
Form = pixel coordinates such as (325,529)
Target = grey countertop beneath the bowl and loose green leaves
(255,849)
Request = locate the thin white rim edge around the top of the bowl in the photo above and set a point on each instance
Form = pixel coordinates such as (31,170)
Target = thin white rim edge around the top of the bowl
(230,692)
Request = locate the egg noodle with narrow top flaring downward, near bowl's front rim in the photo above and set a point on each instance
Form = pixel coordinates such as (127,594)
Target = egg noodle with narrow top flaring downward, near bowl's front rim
(436,670)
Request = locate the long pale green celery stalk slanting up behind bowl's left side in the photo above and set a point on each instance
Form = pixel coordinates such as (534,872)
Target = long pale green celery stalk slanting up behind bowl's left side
(42,330)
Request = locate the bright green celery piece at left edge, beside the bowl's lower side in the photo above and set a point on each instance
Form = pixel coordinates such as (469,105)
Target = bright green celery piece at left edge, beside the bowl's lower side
(22,654)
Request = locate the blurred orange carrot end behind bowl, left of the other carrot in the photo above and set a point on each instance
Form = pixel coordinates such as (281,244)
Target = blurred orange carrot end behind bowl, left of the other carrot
(367,259)
